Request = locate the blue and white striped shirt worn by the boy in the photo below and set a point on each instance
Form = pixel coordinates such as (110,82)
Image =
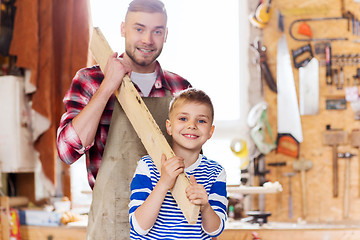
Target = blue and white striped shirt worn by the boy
(171,223)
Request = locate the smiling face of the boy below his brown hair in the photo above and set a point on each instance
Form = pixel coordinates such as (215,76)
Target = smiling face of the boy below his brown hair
(190,125)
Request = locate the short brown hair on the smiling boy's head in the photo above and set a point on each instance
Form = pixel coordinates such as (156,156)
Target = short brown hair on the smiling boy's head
(192,95)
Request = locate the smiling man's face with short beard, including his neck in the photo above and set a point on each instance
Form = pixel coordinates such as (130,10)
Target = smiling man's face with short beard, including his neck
(145,34)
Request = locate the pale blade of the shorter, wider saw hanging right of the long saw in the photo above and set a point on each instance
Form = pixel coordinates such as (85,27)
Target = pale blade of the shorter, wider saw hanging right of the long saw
(309,88)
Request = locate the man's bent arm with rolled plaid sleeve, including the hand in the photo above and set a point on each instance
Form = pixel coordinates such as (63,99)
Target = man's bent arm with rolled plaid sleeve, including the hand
(85,103)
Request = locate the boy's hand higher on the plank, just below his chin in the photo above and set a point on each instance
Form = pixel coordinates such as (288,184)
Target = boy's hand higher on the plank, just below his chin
(170,169)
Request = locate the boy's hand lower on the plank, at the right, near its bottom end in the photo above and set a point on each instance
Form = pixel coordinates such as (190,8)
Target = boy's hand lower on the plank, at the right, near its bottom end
(196,193)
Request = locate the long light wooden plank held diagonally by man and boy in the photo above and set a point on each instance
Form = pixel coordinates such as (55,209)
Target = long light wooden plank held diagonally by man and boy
(145,126)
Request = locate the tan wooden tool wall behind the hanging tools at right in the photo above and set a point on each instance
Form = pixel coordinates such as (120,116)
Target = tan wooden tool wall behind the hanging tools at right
(322,206)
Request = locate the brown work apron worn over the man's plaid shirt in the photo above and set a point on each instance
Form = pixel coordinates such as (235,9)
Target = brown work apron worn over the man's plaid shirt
(109,211)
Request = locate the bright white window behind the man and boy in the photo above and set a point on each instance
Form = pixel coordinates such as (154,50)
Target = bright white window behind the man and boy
(207,44)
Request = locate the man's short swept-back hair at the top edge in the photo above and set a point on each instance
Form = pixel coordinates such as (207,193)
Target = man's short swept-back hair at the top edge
(148,6)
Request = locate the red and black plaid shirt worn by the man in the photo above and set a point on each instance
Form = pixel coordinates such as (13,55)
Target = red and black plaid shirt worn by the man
(84,85)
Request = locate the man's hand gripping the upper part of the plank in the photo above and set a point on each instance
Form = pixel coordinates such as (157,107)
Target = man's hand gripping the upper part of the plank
(114,72)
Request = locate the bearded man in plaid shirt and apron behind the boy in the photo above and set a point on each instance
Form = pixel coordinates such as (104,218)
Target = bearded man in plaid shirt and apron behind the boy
(90,106)
